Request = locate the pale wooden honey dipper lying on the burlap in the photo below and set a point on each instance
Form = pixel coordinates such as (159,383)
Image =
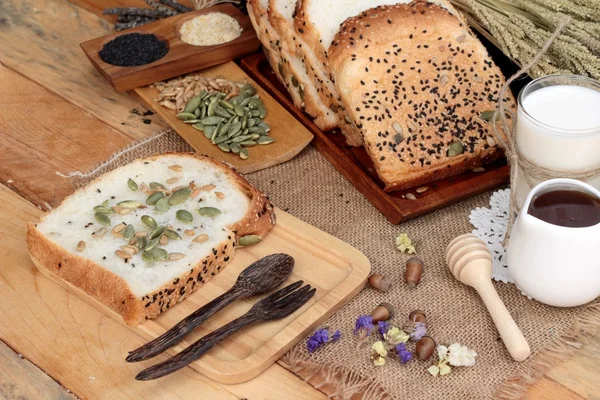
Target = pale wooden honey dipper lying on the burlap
(471,263)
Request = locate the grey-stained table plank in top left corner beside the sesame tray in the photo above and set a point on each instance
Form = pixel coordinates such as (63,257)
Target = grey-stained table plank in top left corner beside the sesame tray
(40,39)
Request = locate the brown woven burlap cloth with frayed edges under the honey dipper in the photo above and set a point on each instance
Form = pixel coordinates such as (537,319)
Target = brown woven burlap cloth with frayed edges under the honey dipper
(309,188)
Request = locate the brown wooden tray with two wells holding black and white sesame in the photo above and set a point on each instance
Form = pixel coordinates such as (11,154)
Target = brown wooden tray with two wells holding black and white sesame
(181,58)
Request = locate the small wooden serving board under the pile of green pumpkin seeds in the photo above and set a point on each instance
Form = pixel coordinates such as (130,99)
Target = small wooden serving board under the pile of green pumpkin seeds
(289,134)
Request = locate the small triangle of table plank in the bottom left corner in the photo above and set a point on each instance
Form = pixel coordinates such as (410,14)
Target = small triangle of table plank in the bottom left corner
(21,380)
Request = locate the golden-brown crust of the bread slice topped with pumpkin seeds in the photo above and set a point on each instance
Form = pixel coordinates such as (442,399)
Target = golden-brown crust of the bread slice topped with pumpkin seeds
(113,291)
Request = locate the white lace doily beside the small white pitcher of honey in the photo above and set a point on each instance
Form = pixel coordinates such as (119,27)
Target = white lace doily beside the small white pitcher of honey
(490,226)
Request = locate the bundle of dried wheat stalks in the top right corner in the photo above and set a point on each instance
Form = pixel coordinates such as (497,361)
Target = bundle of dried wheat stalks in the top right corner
(520,28)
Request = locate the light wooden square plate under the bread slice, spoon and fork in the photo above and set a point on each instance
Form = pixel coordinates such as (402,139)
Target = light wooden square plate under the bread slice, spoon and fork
(335,268)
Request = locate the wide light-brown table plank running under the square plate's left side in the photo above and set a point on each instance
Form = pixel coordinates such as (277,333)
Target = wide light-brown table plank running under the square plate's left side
(84,349)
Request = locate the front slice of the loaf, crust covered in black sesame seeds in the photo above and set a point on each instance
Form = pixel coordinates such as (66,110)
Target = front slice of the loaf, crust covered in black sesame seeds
(416,82)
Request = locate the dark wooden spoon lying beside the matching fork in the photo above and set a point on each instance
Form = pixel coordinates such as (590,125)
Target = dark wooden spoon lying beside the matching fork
(260,277)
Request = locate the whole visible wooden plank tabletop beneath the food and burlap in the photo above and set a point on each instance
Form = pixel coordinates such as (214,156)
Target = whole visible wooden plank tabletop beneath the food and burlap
(57,114)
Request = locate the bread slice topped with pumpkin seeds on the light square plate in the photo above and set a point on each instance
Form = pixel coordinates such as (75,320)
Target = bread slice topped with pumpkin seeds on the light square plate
(74,243)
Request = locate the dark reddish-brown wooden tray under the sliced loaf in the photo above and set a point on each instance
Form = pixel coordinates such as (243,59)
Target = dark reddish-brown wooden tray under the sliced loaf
(355,164)
